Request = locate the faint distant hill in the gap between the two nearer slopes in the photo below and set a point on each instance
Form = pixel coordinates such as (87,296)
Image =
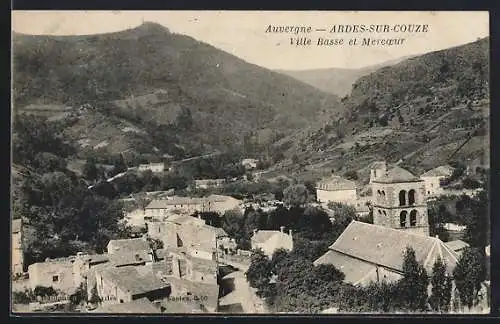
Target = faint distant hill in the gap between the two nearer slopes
(335,80)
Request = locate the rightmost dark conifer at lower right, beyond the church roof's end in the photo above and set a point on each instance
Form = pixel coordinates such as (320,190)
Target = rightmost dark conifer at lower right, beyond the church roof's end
(468,275)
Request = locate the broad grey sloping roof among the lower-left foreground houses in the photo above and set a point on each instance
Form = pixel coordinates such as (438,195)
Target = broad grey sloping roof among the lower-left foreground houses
(134,281)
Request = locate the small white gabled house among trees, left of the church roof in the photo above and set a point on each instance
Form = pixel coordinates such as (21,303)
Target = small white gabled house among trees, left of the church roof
(270,241)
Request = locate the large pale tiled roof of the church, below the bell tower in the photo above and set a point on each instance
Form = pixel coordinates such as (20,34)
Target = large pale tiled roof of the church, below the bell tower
(385,246)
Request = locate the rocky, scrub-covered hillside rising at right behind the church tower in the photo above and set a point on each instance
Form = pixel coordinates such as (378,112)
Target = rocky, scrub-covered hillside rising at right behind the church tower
(421,111)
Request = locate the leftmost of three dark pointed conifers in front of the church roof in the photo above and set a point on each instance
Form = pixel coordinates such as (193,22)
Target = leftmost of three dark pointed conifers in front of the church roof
(413,285)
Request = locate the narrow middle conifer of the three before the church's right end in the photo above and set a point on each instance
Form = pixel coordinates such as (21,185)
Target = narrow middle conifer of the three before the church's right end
(441,287)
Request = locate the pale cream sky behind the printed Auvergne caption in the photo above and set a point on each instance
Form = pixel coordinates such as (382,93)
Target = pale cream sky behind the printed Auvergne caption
(242,33)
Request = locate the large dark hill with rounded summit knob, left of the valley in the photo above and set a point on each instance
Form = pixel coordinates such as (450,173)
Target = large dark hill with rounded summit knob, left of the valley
(150,90)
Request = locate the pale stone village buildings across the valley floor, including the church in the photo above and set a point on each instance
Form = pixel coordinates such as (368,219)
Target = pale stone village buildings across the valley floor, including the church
(180,263)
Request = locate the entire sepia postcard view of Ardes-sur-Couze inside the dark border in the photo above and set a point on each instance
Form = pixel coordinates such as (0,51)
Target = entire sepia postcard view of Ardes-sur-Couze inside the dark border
(250,162)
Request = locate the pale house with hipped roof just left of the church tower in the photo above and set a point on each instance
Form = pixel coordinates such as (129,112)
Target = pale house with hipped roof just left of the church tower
(336,189)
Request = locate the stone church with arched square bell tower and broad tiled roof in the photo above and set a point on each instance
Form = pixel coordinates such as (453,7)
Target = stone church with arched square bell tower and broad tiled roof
(374,252)
